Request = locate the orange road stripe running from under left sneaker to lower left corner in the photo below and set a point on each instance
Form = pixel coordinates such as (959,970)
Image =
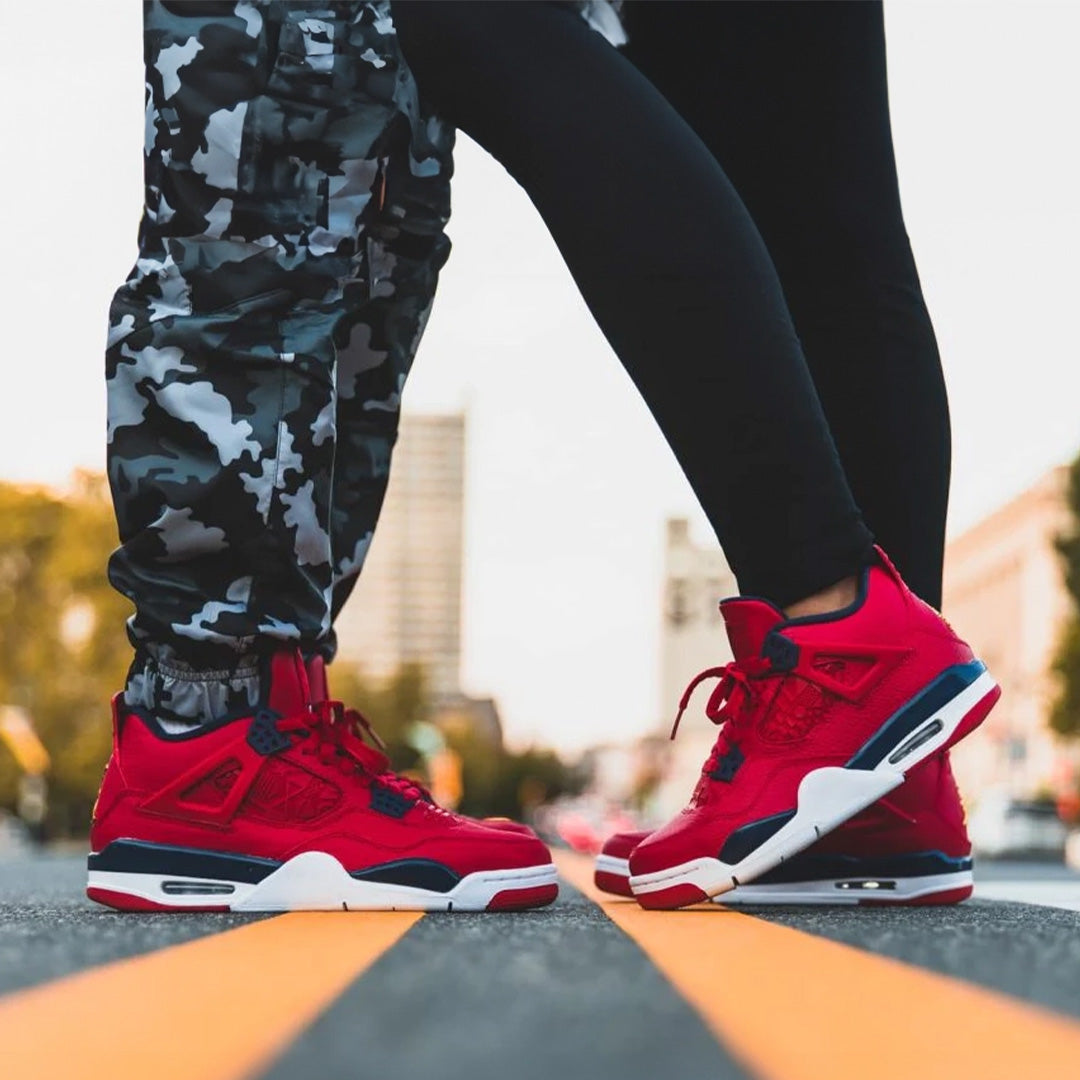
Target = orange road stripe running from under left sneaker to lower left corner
(219,1008)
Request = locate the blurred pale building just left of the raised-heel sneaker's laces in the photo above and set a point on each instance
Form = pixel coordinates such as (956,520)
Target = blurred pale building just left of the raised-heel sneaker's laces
(697,577)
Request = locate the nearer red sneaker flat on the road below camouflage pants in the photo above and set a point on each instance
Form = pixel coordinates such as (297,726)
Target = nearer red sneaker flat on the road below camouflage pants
(288,811)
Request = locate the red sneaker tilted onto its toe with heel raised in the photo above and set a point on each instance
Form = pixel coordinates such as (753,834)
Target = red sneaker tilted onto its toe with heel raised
(822,717)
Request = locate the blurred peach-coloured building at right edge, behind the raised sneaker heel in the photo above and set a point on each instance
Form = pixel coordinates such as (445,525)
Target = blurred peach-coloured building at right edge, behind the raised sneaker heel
(1005,593)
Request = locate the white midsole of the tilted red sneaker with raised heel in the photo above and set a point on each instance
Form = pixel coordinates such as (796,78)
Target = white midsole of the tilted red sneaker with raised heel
(827,798)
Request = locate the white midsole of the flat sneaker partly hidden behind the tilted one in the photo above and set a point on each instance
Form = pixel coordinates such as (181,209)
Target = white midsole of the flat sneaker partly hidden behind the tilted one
(850,890)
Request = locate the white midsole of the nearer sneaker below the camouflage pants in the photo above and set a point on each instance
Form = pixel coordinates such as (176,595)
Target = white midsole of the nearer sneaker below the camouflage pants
(316,882)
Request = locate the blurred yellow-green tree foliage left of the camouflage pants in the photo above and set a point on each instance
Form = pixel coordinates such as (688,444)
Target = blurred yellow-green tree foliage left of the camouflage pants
(63,650)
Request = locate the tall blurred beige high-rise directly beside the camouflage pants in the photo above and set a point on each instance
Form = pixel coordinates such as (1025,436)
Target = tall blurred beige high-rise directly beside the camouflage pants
(408,604)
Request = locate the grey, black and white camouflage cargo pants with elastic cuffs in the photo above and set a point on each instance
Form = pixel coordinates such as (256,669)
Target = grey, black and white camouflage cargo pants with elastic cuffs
(290,248)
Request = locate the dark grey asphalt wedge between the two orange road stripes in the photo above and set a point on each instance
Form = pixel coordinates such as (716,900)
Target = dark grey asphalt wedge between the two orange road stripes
(555,994)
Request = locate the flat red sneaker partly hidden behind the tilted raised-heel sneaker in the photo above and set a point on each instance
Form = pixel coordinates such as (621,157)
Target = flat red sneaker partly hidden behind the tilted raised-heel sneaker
(910,848)
